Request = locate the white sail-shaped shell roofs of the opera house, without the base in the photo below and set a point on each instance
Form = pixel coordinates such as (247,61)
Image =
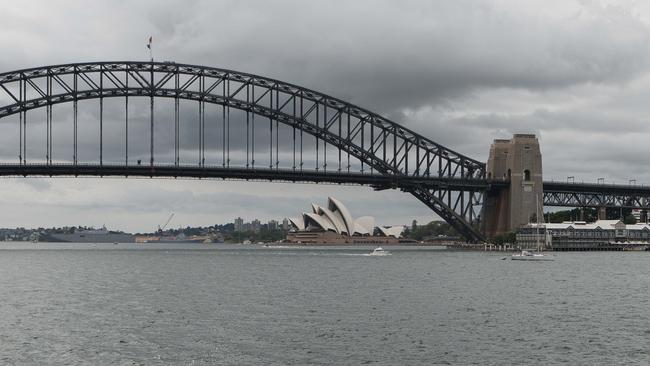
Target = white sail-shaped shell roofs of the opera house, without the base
(336,217)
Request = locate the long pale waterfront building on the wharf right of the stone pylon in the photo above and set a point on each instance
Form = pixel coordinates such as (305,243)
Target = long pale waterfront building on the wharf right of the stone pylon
(579,235)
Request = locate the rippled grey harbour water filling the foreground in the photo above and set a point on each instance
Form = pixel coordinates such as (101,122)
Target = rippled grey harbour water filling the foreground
(171,304)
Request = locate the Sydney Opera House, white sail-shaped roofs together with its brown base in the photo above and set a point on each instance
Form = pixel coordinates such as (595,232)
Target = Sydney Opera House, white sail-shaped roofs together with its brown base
(334,225)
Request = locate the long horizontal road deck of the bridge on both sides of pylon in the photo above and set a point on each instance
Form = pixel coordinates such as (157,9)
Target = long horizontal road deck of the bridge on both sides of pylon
(558,194)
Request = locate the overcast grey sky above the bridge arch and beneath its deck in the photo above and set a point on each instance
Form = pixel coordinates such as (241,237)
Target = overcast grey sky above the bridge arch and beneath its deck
(576,73)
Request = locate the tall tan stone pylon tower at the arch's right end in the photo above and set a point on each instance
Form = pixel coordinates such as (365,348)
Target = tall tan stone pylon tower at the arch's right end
(518,162)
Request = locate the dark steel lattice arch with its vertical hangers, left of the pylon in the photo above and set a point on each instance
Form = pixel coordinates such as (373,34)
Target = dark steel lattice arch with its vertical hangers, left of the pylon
(382,147)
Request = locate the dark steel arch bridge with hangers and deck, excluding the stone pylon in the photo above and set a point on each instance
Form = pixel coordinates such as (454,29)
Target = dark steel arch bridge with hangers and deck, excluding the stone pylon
(163,119)
